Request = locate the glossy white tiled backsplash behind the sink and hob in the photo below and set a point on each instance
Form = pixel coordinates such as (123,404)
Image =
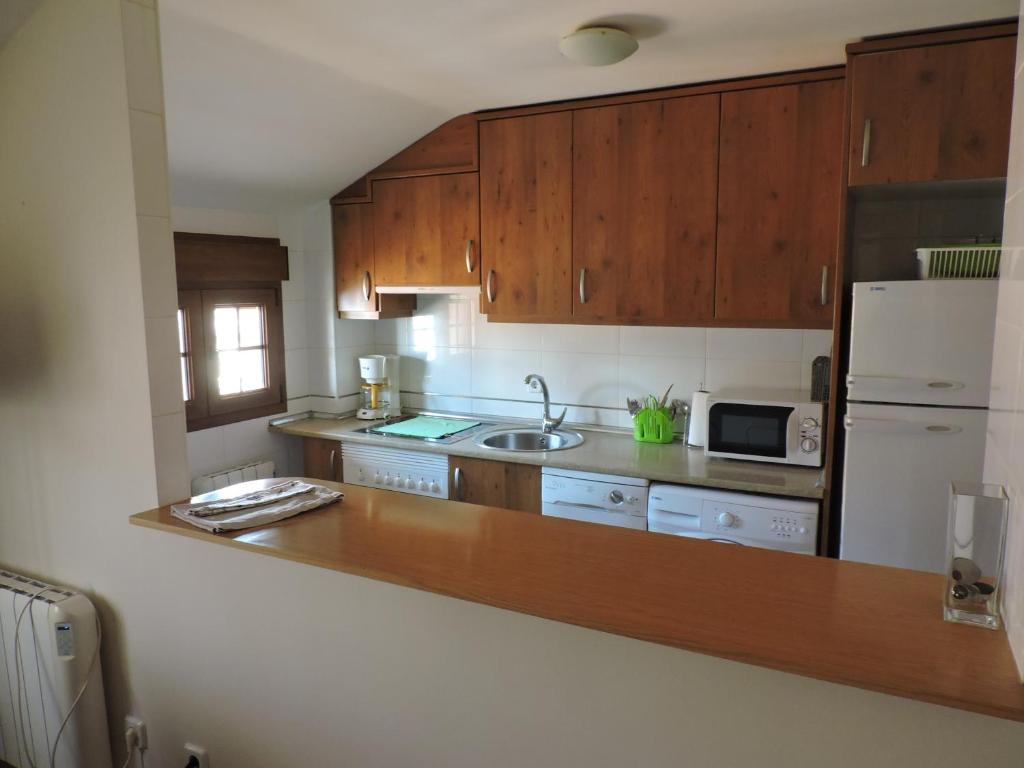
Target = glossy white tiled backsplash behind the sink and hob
(453,359)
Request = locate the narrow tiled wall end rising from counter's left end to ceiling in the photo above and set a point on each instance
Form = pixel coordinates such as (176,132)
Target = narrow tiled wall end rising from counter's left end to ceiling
(149,155)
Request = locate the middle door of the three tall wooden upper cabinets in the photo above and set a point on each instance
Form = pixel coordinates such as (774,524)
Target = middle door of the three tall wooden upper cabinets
(645,198)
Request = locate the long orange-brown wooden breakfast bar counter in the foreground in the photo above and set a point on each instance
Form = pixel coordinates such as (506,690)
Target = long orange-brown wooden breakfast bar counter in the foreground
(866,626)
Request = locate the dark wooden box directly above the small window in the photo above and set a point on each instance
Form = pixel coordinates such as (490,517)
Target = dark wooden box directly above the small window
(227,261)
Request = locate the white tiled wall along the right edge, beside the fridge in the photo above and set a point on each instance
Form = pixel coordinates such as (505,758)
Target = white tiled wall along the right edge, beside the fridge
(1005,451)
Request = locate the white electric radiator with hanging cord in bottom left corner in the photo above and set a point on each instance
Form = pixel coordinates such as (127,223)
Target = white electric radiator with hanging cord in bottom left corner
(50,643)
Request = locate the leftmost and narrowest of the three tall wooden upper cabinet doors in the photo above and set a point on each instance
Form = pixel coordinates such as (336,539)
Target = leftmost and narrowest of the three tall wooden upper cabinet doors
(526,218)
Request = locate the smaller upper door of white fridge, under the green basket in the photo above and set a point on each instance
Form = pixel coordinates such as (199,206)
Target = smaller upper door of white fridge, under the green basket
(927,343)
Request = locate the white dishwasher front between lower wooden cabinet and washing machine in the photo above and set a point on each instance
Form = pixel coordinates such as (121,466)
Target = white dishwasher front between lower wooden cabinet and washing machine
(612,500)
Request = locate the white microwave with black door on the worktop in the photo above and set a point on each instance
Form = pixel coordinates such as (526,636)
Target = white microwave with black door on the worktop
(765,425)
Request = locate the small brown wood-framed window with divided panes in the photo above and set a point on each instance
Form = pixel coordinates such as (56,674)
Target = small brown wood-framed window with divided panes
(232,350)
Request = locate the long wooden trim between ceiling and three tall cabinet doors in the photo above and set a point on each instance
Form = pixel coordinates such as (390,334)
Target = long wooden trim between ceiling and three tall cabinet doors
(720,87)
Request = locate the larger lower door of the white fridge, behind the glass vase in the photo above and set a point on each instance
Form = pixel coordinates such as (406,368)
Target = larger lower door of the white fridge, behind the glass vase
(900,463)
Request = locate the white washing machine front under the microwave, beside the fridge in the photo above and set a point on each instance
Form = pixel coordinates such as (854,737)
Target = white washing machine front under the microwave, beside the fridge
(789,525)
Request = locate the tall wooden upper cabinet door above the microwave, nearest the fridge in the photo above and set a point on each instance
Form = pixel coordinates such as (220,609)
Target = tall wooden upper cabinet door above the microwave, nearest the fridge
(779,205)
